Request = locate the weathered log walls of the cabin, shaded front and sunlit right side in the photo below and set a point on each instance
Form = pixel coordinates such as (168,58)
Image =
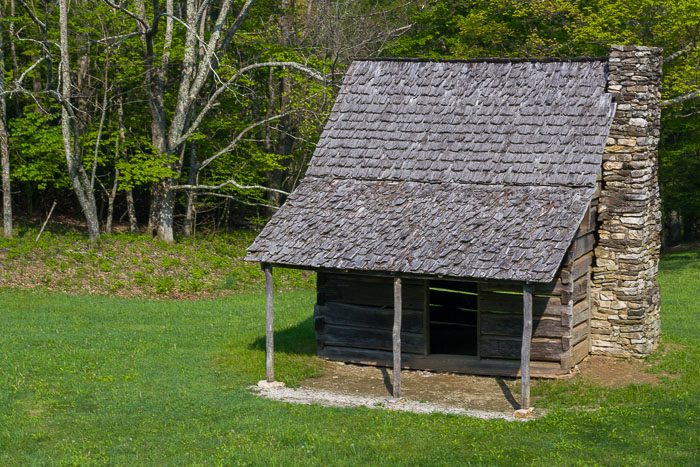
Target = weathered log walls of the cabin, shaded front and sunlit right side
(354,317)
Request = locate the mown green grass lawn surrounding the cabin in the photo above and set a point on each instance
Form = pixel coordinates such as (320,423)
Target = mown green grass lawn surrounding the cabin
(95,379)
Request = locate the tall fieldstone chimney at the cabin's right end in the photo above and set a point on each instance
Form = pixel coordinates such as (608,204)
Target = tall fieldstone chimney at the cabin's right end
(624,291)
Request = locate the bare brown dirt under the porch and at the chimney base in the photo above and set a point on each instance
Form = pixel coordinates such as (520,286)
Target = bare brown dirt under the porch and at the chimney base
(483,393)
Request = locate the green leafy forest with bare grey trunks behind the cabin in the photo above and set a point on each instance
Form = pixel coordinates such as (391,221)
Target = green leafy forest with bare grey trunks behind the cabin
(177,115)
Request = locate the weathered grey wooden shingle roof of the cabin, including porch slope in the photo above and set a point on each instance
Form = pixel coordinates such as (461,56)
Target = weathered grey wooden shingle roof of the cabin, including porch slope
(473,170)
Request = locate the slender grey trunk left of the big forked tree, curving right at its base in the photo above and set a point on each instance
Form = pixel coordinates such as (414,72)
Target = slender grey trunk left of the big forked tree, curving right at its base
(69,131)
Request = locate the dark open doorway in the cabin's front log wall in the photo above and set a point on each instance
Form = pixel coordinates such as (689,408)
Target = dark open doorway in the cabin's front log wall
(453,317)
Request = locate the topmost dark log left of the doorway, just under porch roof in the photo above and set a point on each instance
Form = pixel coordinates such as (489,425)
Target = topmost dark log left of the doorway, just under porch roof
(370,291)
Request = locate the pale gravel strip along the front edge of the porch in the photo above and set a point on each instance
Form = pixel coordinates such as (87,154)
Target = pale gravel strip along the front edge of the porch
(330,399)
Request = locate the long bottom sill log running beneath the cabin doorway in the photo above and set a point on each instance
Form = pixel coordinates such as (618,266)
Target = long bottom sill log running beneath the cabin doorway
(437,362)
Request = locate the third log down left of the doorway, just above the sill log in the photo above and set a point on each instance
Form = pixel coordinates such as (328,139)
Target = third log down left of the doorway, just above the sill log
(366,338)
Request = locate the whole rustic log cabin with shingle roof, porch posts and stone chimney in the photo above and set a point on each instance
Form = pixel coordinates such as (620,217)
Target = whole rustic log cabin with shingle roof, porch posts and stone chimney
(495,217)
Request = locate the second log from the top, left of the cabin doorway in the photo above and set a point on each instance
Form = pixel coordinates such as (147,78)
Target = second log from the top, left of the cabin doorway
(366,316)
